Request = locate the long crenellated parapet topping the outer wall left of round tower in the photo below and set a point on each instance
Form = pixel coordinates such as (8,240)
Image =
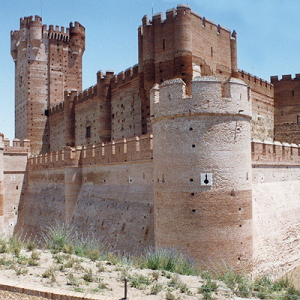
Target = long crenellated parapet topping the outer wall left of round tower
(121,151)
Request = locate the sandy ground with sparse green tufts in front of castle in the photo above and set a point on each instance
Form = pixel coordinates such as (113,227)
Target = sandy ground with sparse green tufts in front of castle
(70,272)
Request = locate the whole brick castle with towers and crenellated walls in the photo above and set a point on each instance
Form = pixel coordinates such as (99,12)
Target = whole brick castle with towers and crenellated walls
(182,150)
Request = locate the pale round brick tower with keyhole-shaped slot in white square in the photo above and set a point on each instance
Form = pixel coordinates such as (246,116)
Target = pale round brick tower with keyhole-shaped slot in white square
(202,169)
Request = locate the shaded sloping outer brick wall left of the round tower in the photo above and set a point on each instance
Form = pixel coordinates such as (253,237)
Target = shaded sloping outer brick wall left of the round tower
(105,190)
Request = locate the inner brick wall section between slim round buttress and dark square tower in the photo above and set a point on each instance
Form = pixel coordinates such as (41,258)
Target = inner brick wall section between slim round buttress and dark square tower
(126,112)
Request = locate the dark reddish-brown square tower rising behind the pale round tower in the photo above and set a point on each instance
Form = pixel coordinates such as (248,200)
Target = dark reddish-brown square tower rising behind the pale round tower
(184,45)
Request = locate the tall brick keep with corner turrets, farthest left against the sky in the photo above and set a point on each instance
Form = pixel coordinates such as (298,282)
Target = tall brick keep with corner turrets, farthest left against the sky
(47,62)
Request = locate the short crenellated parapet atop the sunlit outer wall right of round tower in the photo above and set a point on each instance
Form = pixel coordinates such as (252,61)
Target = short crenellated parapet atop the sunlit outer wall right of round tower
(270,153)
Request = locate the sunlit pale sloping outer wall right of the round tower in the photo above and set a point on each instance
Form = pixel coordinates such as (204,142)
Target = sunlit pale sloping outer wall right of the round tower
(276,209)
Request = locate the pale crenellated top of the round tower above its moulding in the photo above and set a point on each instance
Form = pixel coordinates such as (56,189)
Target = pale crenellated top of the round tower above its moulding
(209,96)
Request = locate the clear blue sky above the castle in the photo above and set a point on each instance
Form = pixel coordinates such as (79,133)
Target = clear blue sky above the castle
(268,35)
